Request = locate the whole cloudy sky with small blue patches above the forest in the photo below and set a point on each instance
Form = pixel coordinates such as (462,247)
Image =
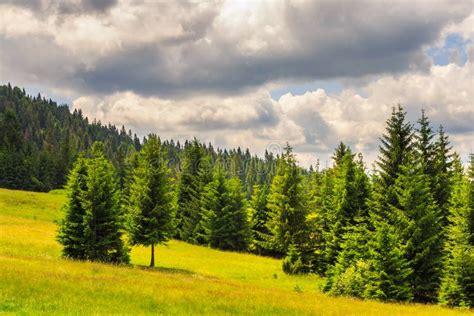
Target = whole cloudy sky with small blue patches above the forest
(254,74)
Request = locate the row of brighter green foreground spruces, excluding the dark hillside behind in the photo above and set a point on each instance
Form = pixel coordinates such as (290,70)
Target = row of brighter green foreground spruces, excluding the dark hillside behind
(403,232)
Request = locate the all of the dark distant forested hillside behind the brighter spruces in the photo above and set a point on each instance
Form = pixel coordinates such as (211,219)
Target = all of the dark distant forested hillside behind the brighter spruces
(40,140)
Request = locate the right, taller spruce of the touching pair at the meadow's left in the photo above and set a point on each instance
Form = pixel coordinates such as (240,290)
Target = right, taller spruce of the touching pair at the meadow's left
(102,219)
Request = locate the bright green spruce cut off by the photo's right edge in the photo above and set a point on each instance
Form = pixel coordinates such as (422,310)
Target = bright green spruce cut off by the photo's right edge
(457,285)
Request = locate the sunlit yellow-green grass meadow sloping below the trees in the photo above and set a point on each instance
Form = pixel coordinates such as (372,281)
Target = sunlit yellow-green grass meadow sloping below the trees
(188,280)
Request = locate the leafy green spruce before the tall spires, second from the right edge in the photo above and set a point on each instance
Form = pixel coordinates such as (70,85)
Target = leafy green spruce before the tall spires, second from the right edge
(417,221)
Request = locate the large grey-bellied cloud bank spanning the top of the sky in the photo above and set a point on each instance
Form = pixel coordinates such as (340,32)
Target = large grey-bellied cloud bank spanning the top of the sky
(182,49)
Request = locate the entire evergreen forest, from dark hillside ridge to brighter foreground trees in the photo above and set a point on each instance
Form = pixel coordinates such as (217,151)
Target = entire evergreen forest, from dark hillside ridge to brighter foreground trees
(401,231)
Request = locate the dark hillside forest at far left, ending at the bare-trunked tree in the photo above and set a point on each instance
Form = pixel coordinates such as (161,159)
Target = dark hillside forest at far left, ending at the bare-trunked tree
(40,141)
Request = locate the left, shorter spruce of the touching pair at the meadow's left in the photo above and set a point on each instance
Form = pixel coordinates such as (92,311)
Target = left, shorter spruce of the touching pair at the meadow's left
(71,231)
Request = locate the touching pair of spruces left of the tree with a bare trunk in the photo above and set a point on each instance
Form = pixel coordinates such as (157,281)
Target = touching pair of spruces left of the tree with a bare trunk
(92,227)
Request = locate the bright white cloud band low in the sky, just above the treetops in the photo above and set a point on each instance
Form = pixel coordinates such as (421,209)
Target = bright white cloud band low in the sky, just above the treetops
(313,123)
